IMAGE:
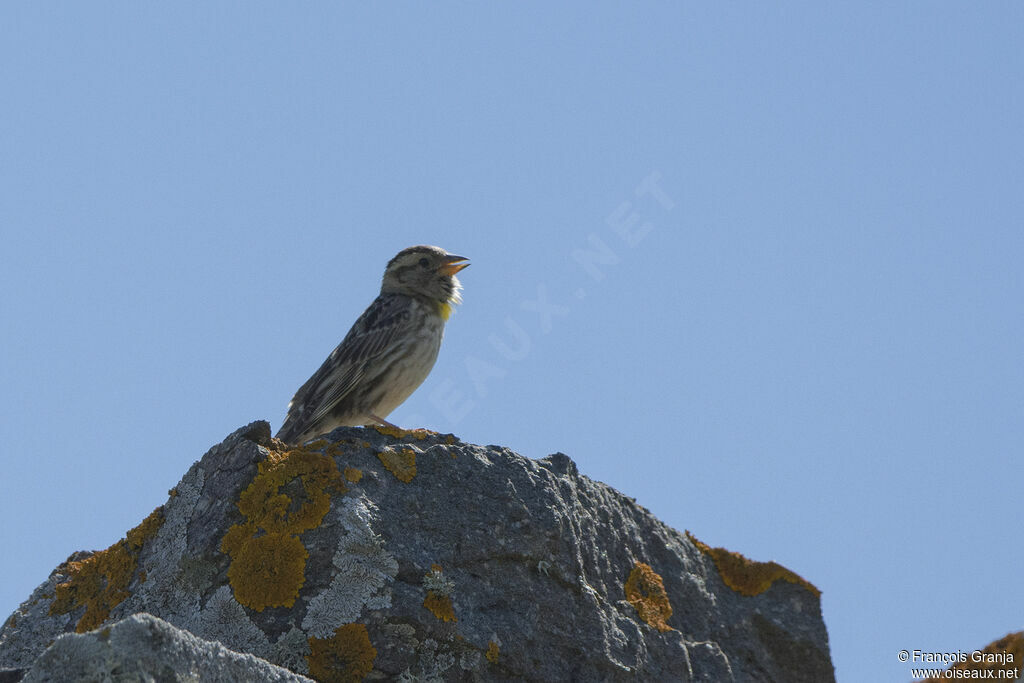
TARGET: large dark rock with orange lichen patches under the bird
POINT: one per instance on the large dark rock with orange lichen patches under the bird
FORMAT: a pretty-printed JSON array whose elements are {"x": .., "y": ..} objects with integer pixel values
[{"x": 386, "y": 554}]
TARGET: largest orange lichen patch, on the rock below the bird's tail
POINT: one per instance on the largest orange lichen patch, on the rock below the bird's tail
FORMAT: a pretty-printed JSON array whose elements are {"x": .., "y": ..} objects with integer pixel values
[{"x": 269, "y": 560}]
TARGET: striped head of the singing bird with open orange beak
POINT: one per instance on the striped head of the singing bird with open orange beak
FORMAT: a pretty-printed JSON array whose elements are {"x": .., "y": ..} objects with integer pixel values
[{"x": 425, "y": 273}]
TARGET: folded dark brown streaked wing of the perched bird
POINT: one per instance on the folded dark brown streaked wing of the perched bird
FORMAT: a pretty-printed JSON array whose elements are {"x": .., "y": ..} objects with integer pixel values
[{"x": 372, "y": 333}]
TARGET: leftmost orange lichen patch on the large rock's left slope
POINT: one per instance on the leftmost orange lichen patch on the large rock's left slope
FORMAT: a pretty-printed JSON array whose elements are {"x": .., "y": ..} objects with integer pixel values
[{"x": 100, "y": 583}]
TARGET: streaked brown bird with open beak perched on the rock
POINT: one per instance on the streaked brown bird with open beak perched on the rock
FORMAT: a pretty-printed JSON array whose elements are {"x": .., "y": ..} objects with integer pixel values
[{"x": 389, "y": 353}]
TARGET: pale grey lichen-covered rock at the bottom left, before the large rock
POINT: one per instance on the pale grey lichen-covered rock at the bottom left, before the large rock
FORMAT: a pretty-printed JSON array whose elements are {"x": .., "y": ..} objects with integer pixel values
[{"x": 143, "y": 648}]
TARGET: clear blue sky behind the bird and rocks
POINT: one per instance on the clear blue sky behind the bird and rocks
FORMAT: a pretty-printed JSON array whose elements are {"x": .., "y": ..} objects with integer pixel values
[{"x": 757, "y": 266}]
